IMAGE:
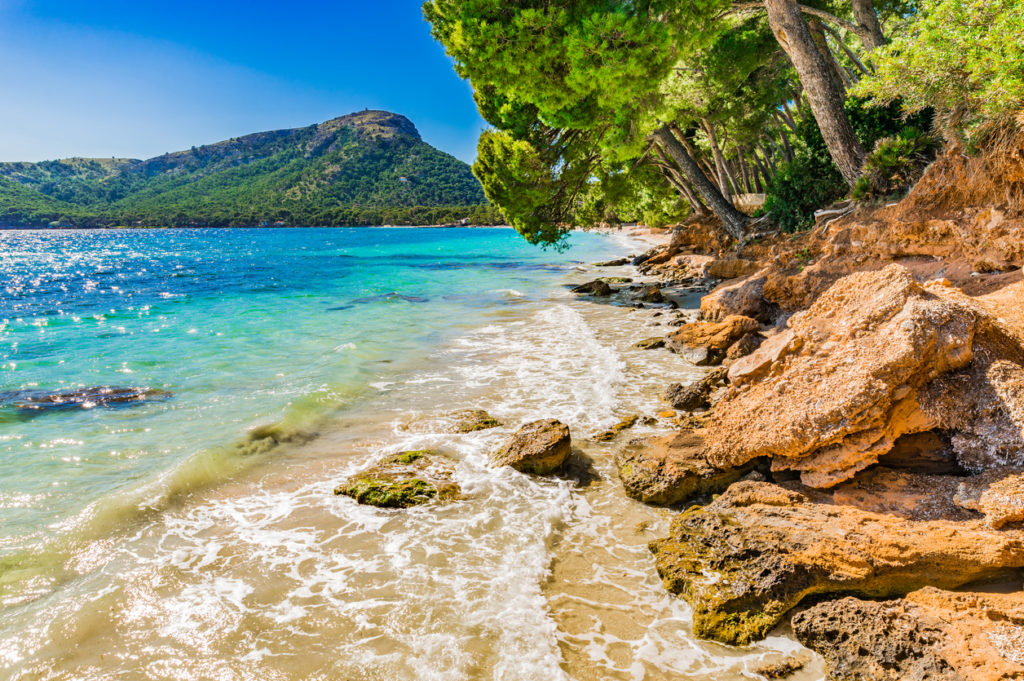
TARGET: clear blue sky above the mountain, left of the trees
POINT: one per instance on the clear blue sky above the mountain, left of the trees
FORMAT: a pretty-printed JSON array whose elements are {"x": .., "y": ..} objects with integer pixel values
[{"x": 140, "y": 78}]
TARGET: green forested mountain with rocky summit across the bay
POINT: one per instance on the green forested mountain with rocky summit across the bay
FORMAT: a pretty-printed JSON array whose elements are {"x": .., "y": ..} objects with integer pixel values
[{"x": 365, "y": 168}]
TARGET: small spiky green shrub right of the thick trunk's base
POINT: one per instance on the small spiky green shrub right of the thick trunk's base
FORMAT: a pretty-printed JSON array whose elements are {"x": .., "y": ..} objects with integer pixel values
[{"x": 895, "y": 164}]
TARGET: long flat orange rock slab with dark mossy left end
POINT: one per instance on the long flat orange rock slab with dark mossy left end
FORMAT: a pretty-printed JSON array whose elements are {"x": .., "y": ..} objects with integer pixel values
[{"x": 757, "y": 550}]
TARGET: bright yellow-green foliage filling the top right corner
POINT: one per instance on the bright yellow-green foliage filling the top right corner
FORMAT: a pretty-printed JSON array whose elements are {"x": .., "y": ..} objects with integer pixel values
[{"x": 963, "y": 58}]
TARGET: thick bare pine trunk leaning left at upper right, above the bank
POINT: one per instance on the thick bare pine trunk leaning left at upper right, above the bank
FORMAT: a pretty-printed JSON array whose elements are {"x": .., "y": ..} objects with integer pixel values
[{"x": 823, "y": 95}]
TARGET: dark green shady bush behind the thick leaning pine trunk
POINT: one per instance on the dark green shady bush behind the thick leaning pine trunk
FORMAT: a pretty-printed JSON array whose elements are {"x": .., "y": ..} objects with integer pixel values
[{"x": 813, "y": 181}]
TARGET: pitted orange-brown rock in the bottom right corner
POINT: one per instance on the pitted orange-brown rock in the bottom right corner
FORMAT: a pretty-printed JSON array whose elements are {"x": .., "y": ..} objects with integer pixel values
[{"x": 931, "y": 635}]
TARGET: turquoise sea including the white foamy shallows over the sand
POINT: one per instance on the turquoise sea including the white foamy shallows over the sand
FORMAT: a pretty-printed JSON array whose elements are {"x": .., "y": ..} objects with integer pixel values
[{"x": 195, "y": 535}]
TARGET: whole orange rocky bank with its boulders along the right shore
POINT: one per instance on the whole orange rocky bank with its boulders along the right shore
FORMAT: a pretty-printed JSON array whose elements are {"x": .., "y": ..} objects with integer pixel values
[{"x": 885, "y": 409}]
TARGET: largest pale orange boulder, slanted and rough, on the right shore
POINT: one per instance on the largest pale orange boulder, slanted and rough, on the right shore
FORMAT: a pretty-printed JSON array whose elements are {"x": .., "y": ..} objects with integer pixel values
[{"x": 877, "y": 358}]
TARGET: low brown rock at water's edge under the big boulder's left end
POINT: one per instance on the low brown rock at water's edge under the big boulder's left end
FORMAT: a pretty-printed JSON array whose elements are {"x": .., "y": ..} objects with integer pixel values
[{"x": 672, "y": 471}]
